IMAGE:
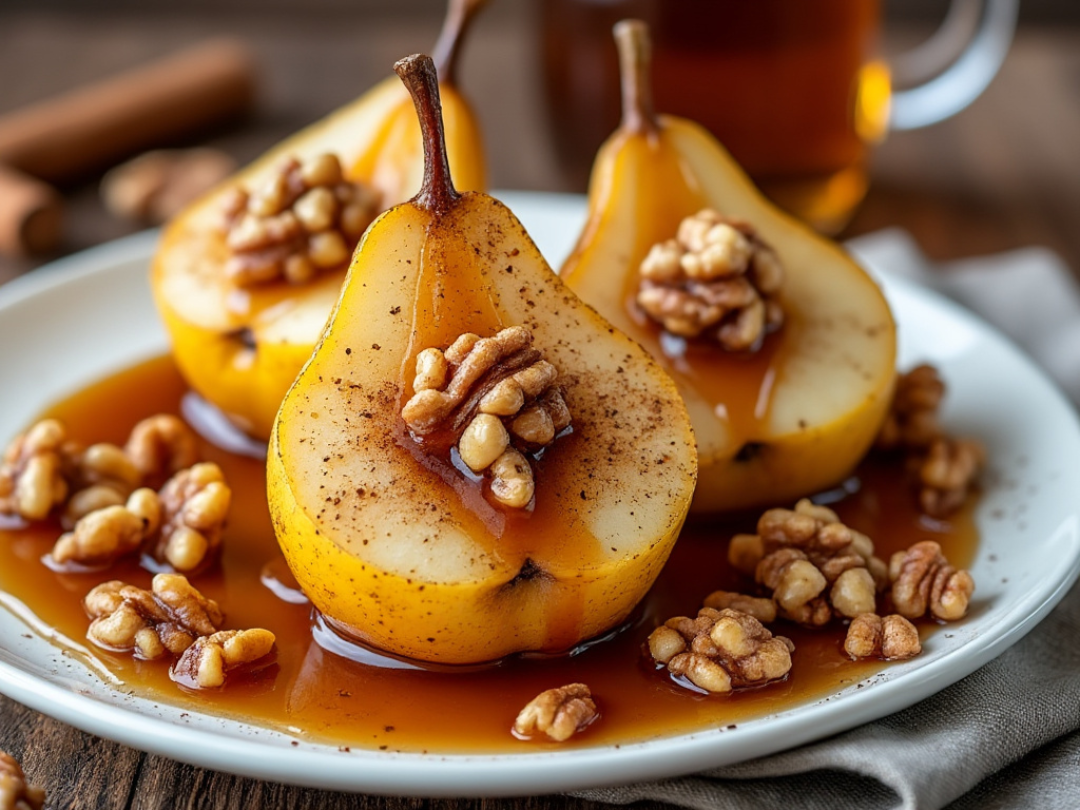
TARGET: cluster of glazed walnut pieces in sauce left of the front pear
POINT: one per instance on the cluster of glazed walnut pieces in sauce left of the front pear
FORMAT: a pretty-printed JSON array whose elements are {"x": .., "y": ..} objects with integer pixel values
[{"x": 105, "y": 496}]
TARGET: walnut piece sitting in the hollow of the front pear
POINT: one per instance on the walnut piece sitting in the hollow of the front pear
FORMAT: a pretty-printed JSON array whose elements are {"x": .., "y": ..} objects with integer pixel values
[{"x": 496, "y": 400}]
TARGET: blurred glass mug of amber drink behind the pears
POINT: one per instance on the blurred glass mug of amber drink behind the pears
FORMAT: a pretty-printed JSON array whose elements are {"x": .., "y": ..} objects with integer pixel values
[{"x": 794, "y": 89}]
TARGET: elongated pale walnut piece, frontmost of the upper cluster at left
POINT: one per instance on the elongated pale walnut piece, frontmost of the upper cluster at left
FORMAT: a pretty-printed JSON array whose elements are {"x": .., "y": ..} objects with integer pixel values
[{"x": 105, "y": 535}]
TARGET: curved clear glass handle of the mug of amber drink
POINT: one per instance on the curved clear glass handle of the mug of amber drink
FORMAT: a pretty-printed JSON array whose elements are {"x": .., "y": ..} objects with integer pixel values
[{"x": 962, "y": 83}]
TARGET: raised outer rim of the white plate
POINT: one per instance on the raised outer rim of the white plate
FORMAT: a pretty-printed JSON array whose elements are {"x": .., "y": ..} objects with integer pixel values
[{"x": 320, "y": 765}]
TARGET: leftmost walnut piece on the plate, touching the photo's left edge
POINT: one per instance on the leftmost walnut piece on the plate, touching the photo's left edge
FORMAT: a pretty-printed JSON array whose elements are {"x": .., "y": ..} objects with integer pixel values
[{"x": 33, "y": 472}]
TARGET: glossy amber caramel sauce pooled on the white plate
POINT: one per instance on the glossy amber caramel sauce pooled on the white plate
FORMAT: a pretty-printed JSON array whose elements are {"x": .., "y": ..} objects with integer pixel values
[{"x": 363, "y": 700}]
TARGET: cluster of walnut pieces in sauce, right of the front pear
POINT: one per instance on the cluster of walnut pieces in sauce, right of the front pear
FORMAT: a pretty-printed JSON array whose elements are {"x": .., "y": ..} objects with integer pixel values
[{"x": 811, "y": 570}]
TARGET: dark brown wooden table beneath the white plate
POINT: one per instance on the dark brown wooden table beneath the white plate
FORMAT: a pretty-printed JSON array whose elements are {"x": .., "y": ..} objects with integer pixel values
[{"x": 1004, "y": 174}]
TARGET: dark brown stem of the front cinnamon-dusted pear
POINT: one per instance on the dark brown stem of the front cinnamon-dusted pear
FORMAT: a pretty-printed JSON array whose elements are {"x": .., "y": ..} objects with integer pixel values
[{"x": 422, "y": 79}]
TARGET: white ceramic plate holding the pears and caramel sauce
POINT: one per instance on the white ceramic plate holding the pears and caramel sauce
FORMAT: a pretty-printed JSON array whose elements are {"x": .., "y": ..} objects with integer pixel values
[{"x": 91, "y": 315}]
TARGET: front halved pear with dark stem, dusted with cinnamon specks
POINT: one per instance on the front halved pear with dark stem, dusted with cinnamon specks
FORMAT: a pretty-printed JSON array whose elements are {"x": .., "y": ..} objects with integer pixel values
[{"x": 396, "y": 541}]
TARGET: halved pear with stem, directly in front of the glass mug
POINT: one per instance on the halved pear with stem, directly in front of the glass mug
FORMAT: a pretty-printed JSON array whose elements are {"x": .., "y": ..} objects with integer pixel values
[{"x": 795, "y": 416}]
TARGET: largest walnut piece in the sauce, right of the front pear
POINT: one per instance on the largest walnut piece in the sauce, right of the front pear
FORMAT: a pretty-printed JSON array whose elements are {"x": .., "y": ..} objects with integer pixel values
[{"x": 814, "y": 565}]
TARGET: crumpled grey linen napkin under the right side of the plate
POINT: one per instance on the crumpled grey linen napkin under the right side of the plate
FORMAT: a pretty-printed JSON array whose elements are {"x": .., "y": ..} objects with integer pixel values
[{"x": 1007, "y": 736}]
